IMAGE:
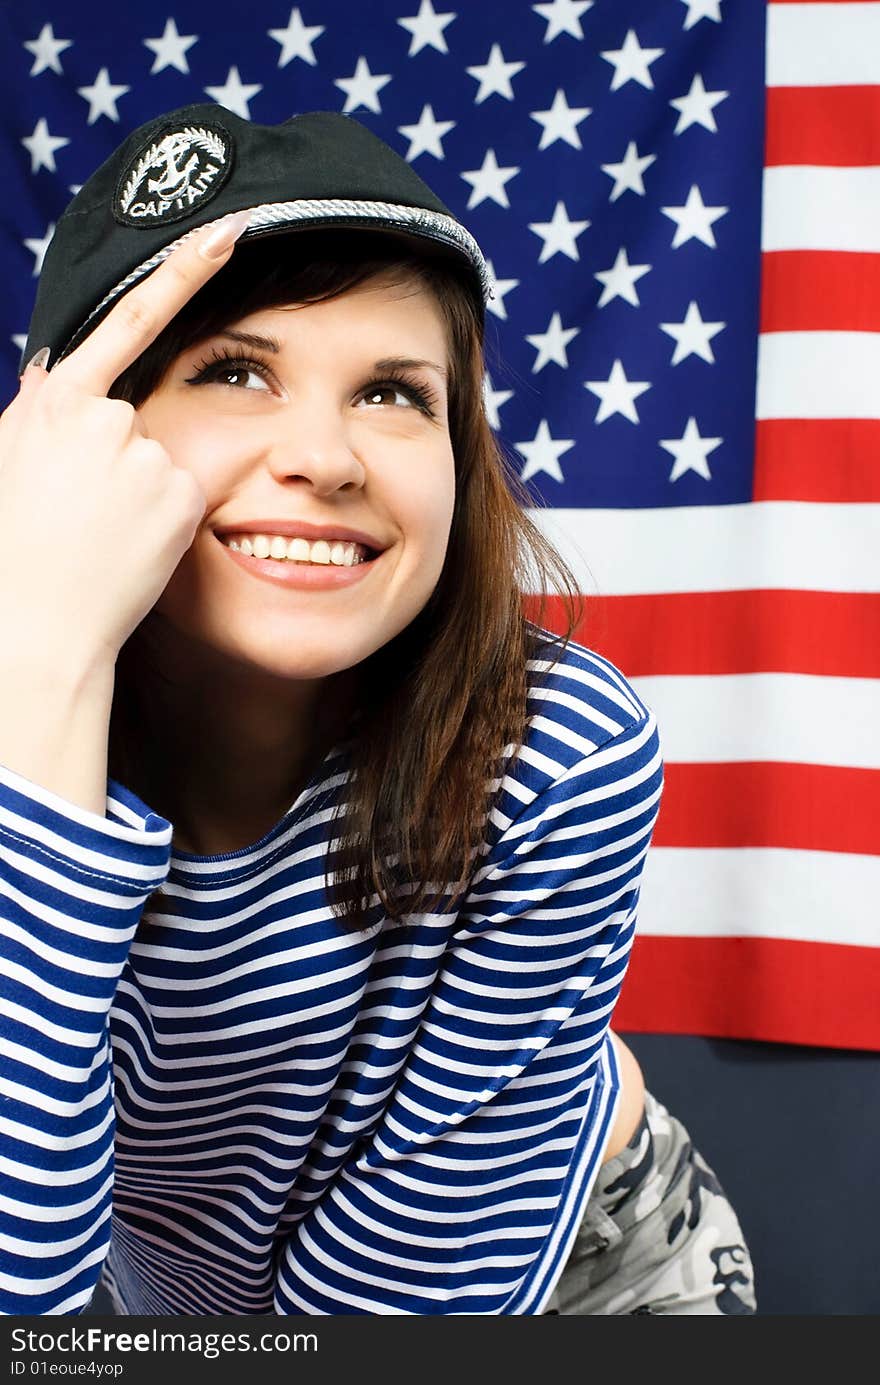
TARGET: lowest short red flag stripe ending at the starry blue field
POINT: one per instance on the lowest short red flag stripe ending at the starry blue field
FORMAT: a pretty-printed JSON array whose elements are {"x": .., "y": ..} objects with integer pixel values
[{"x": 835, "y": 461}]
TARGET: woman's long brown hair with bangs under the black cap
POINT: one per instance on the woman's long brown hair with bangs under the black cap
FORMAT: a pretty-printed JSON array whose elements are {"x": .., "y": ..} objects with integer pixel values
[{"x": 443, "y": 707}]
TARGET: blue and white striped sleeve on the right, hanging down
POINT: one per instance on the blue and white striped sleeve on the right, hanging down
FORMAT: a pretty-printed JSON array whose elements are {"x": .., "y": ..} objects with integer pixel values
[{"x": 466, "y": 1199}]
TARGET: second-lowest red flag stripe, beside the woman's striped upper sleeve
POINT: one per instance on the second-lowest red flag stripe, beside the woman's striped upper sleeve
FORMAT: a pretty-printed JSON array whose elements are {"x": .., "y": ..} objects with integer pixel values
[{"x": 771, "y": 804}]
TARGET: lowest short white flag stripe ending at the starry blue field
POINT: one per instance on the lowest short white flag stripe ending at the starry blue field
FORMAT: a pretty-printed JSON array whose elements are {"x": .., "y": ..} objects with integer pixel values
[{"x": 820, "y": 375}]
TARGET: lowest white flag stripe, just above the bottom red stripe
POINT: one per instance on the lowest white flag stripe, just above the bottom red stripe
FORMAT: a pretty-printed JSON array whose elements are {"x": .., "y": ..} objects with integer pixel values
[{"x": 767, "y": 893}]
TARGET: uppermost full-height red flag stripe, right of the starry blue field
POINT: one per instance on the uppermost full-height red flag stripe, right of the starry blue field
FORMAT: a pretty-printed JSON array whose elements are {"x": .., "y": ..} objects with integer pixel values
[{"x": 828, "y": 127}]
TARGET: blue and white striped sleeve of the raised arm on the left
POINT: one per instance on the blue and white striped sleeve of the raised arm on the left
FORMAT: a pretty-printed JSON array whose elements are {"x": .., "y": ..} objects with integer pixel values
[{"x": 73, "y": 888}]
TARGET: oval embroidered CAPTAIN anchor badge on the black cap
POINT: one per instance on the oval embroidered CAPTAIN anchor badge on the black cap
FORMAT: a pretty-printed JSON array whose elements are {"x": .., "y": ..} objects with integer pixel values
[{"x": 179, "y": 171}]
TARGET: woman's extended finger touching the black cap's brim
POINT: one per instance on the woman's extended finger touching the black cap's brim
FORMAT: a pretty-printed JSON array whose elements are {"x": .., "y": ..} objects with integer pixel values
[{"x": 139, "y": 318}]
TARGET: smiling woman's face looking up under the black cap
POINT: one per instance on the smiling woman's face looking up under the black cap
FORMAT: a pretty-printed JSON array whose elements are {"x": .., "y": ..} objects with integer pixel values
[{"x": 333, "y": 416}]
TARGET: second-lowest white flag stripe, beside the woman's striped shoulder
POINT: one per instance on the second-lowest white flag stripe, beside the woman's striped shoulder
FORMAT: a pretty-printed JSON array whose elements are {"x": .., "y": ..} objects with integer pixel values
[{"x": 796, "y": 718}]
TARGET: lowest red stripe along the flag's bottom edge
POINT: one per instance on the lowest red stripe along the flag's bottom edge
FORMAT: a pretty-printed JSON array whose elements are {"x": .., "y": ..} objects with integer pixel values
[{"x": 791, "y": 992}]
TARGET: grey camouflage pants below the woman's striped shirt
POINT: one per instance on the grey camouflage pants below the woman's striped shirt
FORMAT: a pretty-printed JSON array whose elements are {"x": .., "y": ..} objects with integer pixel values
[{"x": 659, "y": 1235}]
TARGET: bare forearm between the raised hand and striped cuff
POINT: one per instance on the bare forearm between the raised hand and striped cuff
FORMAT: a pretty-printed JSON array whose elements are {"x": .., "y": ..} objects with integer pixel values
[{"x": 55, "y": 722}]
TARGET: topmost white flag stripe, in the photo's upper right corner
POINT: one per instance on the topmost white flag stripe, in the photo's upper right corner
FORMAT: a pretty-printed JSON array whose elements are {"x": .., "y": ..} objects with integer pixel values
[{"x": 822, "y": 45}]
